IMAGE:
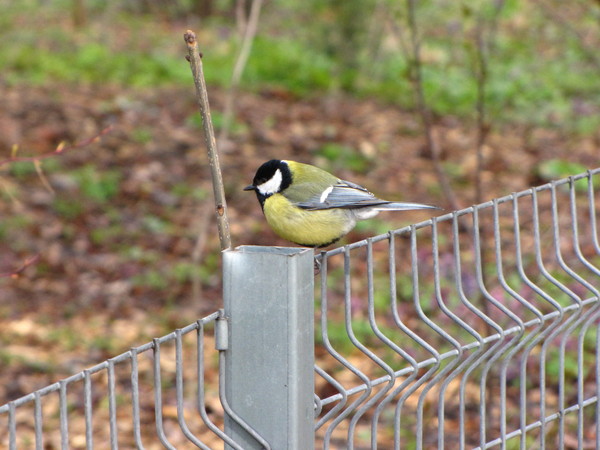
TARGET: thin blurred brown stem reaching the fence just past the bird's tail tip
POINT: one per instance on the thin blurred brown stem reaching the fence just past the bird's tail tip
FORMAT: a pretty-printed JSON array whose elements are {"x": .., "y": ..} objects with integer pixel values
[{"x": 416, "y": 77}]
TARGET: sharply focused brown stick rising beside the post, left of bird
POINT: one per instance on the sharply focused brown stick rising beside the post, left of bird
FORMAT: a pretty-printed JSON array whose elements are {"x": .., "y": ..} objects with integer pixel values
[{"x": 195, "y": 60}]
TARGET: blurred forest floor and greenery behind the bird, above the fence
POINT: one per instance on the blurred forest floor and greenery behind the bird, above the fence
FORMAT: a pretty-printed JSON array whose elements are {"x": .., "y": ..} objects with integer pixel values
[{"x": 108, "y": 242}]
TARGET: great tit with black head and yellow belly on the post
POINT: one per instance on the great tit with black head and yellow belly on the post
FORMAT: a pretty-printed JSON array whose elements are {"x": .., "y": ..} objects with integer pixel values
[{"x": 311, "y": 207}]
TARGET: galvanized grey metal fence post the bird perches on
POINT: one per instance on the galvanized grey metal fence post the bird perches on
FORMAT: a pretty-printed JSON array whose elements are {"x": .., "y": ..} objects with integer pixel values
[{"x": 269, "y": 362}]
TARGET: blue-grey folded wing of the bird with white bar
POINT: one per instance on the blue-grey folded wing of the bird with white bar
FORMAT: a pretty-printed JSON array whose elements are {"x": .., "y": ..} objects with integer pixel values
[{"x": 345, "y": 195}]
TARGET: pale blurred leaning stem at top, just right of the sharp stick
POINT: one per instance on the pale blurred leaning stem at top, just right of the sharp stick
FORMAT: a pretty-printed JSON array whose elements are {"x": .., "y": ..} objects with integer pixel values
[{"x": 249, "y": 32}]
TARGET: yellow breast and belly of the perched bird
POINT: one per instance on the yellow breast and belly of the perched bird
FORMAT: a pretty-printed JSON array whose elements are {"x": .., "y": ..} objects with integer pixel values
[{"x": 308, "y": 228}]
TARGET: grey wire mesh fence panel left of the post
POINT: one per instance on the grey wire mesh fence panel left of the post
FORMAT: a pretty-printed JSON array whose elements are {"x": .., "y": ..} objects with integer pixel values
[{"x": 161, "y": 394}]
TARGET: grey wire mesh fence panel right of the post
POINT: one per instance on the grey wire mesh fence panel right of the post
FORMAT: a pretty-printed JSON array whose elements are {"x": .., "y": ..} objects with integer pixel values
[{"x": 476, "y": 329}]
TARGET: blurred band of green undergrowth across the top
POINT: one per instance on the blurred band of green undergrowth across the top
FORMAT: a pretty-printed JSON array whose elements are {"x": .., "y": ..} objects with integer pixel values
[{"x": 537, "y": 72}]
